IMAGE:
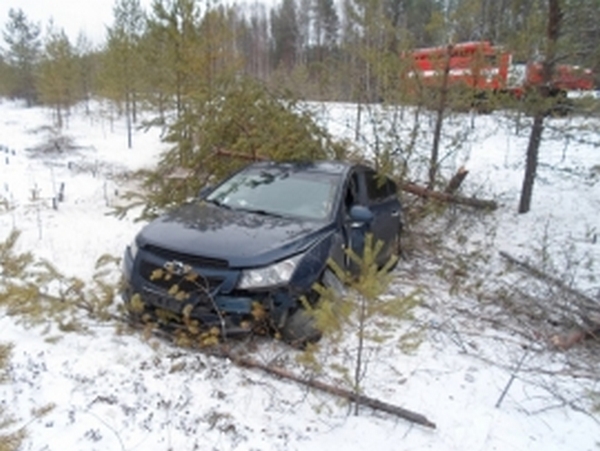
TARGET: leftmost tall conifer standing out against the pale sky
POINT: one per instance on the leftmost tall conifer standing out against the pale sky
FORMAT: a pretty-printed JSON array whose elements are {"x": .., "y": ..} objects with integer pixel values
[{"x": 22, "y": 56}]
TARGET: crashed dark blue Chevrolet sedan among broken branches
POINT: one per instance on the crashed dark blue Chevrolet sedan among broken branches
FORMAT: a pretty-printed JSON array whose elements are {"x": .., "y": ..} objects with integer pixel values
[{"x": 261, "y": 238}]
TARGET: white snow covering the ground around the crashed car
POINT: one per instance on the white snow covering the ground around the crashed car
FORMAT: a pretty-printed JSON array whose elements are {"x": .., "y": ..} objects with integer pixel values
[{"x": 110, "y": 388}]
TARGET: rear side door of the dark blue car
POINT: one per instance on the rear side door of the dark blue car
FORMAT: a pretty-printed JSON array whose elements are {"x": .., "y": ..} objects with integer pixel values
[{"x": 382, "y": 200}]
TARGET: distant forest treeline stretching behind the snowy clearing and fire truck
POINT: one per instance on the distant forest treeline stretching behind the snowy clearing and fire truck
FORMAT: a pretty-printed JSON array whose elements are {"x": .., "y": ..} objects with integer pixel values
[{"x": 344, "y": 50}]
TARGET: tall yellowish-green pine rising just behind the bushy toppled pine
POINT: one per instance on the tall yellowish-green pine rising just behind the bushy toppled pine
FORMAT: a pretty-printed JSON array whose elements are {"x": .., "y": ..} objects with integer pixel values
[{"x": 196, "y": 59}]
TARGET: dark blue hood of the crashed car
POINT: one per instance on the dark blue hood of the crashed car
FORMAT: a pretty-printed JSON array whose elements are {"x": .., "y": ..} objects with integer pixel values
[{"x": 242, "y": 238}]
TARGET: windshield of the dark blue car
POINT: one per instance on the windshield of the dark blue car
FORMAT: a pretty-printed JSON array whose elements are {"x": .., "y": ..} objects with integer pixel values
[{"x": 278, "y": 192}]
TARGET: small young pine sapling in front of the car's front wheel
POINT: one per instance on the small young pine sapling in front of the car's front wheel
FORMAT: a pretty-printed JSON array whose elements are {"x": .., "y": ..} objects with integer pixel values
[{"x": 361, "y": 316}]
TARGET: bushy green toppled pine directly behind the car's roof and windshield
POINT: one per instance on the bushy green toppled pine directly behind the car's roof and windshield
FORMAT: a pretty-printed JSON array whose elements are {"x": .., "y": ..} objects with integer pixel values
[{"x": 245, "y": 122}]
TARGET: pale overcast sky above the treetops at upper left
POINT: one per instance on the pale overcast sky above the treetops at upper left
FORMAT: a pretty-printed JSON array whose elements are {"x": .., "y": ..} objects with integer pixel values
[{"x": 74, "y": 16}]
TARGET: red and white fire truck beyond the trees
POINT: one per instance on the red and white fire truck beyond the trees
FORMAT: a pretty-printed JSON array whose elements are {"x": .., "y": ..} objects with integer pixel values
[{"x": 484, "y": 67}]
